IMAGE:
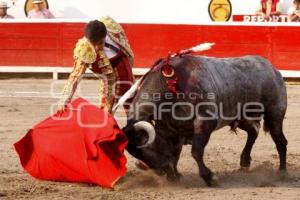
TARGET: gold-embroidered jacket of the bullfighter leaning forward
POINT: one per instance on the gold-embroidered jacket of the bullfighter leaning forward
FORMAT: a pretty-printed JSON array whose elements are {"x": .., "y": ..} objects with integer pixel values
[{"x": 85, "y": 55}]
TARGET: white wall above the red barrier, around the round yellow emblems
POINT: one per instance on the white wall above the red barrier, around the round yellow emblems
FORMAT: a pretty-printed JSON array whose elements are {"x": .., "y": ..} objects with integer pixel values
[{"x": 141, "y": 11}]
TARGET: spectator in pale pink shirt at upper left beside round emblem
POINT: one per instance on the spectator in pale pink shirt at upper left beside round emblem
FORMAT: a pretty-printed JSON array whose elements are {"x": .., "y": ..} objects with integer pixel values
[{"x": 39, "y": 11}]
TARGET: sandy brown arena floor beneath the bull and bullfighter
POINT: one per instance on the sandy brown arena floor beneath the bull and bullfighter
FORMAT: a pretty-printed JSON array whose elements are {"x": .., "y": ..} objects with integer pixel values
[{"x": 23, "y": 103}]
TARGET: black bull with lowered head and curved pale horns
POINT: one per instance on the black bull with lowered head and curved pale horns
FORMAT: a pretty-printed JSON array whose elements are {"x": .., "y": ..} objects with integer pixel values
[{"x": 237, "y": 92}]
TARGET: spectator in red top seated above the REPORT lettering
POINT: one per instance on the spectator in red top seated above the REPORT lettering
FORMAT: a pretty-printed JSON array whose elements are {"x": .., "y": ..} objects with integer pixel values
[{"x": 269, "y": 8}]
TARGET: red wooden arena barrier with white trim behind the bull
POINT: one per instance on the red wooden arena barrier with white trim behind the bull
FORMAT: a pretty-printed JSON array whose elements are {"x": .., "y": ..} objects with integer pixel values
[{"x": 47, "y": 45}]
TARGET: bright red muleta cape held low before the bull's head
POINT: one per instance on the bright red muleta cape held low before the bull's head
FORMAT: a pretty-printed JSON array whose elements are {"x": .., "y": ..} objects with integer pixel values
[{"x": 86, "y": 147}]
